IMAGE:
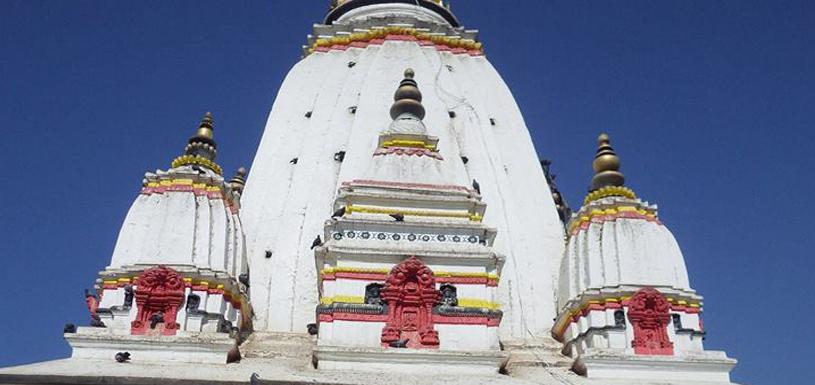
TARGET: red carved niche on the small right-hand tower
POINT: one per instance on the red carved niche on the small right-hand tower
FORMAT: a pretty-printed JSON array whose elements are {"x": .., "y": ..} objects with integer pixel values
[{"x": 649, "y": 313}]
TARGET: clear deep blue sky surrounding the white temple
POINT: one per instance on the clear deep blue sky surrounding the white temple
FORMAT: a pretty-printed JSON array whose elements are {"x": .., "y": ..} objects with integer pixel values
[{"x": 709, "y": 103}]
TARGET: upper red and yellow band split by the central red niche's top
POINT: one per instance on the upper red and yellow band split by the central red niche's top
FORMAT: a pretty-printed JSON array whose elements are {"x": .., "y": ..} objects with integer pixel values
[{"x": 381, "y": 274}]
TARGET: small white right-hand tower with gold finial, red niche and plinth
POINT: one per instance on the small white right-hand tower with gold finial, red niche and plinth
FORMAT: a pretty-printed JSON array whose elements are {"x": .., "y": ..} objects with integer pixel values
[{"x": 626, "y": 308}]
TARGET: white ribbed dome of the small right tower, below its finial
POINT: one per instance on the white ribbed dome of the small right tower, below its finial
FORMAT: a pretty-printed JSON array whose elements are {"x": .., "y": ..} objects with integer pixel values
[{"x": 620, "y": 242}]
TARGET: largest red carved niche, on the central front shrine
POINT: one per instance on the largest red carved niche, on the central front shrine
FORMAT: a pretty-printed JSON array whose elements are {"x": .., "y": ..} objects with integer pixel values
[{"x": 410, "y": 291}]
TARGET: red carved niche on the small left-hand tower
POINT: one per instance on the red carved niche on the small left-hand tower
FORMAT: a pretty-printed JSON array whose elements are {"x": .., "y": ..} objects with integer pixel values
[{"x": 159, "y": 294}]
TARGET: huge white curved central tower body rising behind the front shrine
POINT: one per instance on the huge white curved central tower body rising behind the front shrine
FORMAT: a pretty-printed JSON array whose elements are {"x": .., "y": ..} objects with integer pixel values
[{"x": 334, "y": 100}]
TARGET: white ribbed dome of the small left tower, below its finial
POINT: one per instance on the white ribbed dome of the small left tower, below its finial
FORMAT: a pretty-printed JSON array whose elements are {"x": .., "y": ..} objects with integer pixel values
[{"x": 183, "y": 217}]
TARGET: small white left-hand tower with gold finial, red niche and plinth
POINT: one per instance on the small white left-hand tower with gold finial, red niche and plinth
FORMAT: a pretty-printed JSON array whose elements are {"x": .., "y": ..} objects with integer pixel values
[{"x": 172, "y": 290}]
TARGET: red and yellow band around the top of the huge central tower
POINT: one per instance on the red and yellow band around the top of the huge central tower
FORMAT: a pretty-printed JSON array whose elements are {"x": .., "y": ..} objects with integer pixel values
[{"x": 376, "y": 36}]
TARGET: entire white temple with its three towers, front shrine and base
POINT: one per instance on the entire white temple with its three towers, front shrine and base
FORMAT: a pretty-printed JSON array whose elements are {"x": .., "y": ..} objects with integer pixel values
[{"x": 396, "y": 226}]
